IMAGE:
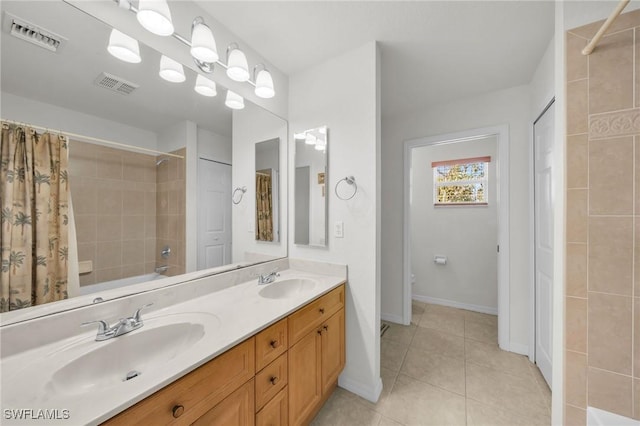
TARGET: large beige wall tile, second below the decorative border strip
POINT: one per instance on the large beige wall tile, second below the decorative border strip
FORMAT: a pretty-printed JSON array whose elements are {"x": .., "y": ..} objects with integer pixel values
[{"x": 611, "y": 254}]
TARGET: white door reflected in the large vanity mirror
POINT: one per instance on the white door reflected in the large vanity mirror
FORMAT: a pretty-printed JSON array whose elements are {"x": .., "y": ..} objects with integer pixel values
[{"x": 214, "y": 214}]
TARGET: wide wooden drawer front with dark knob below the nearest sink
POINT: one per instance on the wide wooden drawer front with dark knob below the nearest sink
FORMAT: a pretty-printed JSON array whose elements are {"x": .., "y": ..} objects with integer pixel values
[{"x": 188, "y": 398}]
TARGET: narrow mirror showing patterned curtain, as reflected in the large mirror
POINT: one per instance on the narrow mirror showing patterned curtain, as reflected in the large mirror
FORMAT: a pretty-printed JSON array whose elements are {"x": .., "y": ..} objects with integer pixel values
[{"x": 267, "y": 190}]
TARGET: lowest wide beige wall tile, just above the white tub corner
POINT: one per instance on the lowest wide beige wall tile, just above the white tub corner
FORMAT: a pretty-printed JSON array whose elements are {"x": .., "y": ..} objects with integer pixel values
[{"x": 611, "y": 392}]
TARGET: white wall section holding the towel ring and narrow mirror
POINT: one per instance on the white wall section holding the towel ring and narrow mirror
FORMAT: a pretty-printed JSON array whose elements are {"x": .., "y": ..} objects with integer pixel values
[{"x": 343, "y": 93}]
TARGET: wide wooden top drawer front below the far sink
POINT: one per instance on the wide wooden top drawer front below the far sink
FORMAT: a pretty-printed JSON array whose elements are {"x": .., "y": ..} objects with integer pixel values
[{"x": 309, "y": 317}]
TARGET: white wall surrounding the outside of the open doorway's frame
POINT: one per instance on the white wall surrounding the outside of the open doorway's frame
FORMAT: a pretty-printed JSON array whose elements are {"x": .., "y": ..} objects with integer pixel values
[{"x": 509, "y": 106}]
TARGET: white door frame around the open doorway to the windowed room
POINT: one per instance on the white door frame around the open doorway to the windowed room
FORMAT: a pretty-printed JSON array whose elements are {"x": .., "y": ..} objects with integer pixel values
[{"x": 502, "y": 198}]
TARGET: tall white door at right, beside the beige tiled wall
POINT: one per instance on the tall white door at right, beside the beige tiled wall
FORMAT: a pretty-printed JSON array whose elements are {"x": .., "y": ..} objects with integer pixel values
[{"x": 543, "y": 131}]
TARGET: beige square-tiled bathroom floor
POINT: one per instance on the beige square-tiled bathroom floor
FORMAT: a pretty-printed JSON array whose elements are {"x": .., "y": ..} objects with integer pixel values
[{"x": 446, "y": 369}]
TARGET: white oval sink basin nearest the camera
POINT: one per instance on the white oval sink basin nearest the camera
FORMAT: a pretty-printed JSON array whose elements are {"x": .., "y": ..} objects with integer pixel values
[{"x": 108, "y": 363}]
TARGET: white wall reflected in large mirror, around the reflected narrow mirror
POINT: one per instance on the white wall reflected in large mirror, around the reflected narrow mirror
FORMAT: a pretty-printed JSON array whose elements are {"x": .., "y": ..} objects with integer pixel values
[{"x": 250, "y": 126}]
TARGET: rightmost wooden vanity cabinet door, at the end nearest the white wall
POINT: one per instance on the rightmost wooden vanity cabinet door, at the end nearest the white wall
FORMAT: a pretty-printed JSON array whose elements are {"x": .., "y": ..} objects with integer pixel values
[{"x": 333, "y": 351}]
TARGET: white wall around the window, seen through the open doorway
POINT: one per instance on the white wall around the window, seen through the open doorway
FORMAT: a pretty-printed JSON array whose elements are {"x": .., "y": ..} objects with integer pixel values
[{"x": 466, "y": 235}]
